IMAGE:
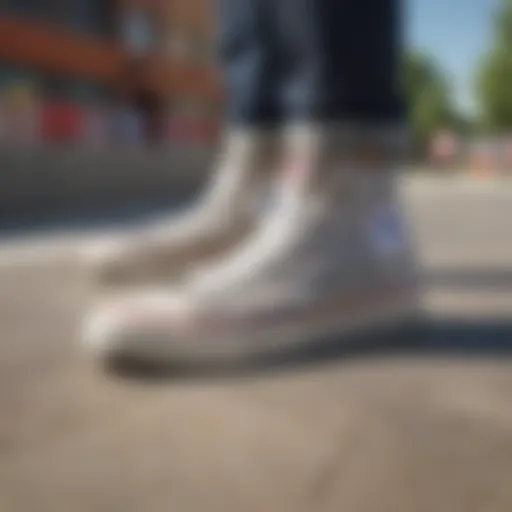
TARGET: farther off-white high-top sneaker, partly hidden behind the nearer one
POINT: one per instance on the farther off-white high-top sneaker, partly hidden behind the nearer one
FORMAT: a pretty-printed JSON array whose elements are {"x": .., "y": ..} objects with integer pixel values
[{"x": 229, "y": 209}]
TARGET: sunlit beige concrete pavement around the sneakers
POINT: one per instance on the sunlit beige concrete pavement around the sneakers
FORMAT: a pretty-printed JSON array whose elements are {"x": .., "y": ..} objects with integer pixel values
[{"x": 366, "y": 433}]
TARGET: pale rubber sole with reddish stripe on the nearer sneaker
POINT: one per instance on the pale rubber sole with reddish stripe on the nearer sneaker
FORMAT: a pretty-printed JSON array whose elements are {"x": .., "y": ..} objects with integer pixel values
[{"x": 233, "y": 344}]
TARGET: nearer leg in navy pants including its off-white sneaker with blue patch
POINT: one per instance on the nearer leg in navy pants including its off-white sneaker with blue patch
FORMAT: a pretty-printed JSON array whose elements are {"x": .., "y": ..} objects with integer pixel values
[{"x": 331, "y": 257}]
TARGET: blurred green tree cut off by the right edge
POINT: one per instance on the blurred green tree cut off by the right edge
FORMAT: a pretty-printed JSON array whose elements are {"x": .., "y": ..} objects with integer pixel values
[{"x": 494, "y": 76}]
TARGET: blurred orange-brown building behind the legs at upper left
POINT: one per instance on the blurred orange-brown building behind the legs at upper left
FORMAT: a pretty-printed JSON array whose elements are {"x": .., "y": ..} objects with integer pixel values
[{"x": 74, "y": 56}]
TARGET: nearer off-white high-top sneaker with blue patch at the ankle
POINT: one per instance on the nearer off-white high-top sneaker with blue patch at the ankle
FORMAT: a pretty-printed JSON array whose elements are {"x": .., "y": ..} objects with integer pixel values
[{"x": 330, "y": 260}]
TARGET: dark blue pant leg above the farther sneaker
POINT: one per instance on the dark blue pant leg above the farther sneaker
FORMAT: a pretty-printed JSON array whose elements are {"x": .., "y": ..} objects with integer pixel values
[{"x": 249, "y": 56}]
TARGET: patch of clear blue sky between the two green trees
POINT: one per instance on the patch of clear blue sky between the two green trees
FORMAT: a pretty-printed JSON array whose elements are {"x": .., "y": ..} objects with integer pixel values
[{"x": 457, "y": 32}]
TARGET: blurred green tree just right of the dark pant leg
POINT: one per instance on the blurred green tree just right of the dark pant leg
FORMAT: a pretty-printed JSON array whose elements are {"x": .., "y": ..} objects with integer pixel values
[{"x": 428, "y": 98}]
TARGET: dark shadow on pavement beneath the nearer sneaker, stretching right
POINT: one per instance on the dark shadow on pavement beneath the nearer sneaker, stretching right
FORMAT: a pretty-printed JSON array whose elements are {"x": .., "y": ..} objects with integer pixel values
[{"x": 432, "y": 338}]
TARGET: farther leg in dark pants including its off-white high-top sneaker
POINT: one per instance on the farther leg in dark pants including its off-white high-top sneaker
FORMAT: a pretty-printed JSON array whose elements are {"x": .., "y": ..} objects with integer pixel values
[{"x": 229, "y": 207}]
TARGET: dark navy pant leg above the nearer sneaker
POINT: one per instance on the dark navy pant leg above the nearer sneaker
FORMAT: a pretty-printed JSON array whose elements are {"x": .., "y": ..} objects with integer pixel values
[{"x": 342, "y": 59}]
